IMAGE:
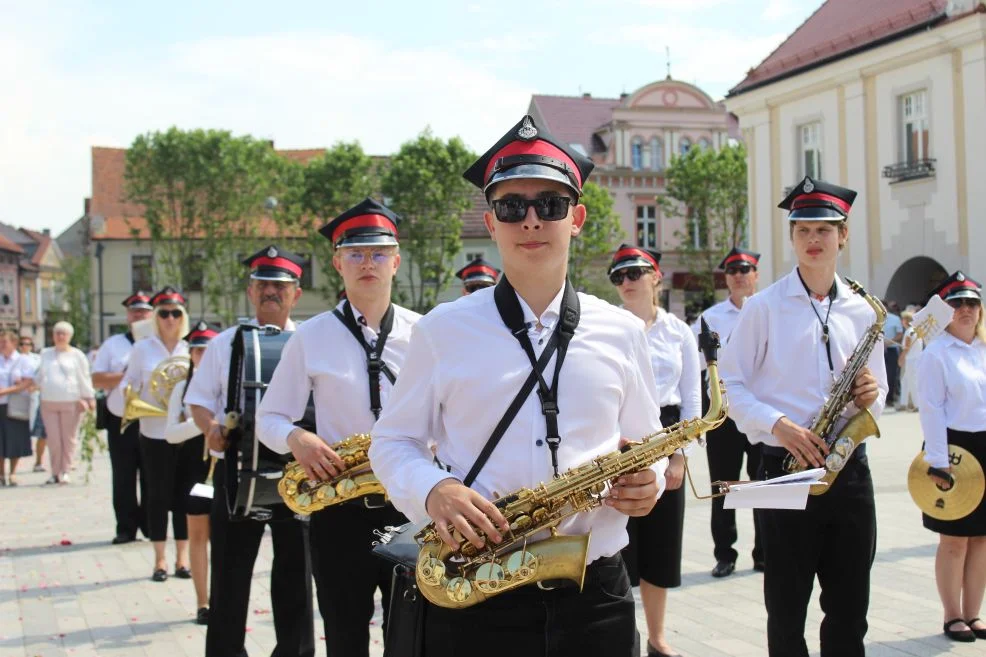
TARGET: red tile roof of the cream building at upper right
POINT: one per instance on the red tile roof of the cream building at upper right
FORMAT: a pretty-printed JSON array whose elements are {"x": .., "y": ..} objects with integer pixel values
[{"x": 839, "y": 28}]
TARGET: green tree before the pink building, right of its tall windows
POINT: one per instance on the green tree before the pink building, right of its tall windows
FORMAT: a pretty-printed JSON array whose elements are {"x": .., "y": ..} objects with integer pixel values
[{"x": 708, "y": 189}]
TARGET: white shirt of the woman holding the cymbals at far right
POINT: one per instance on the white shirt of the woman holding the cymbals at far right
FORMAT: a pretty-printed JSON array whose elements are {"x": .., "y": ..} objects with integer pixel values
[{"x": 951, "y": 392}]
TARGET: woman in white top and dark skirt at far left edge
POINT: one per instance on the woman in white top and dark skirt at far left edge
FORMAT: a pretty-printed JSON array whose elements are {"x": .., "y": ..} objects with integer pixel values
[{"x": 15, "y": 434}]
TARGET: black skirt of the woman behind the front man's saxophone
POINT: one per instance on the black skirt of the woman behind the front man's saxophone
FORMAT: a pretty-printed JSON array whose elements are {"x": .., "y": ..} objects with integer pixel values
[{"x": 654, "y": 551}]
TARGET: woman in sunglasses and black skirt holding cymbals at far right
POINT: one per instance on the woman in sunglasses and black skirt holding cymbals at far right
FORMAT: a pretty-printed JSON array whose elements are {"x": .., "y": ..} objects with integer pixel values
[{"x": 952, "y": 401}]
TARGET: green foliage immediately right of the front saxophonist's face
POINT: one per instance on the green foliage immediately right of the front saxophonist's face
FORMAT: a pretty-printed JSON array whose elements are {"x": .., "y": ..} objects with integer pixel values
[{"x": 600, "y": 235}]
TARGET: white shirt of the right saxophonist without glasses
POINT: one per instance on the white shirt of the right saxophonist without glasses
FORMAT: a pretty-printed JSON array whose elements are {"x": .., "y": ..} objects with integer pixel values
[{"x": 776, "y": 363}]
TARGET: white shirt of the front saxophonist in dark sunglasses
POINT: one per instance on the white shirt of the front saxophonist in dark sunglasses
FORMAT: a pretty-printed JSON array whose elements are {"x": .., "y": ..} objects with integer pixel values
[{"x": 462, "y": 371}]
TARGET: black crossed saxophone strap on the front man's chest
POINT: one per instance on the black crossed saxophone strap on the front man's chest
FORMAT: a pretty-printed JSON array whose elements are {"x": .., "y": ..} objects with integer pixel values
[{"x": 513, "y": 317}]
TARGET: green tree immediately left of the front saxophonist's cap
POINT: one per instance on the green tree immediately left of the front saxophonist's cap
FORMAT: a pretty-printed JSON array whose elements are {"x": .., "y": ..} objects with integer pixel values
[{"x": 423, "y": 183}]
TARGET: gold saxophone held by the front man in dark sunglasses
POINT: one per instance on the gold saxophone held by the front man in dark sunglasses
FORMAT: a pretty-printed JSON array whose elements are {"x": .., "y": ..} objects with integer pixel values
[{"x": 467, "y": 576}]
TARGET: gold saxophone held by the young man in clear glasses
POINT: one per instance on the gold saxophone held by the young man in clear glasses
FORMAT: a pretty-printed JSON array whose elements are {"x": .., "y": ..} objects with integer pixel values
[{"x": 304, "y": 496}]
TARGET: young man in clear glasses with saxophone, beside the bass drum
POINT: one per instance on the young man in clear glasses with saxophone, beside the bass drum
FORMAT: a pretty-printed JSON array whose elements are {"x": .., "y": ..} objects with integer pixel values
[{"x": 348, "y": 358}]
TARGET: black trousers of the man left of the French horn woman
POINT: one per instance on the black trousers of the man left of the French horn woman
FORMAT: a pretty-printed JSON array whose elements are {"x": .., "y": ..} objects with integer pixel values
[{"x": 125, "y": 462}]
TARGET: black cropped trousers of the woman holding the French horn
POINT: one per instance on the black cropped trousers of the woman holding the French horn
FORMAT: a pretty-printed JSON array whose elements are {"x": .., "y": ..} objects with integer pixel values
[{"x": 168, "y": 469}]
